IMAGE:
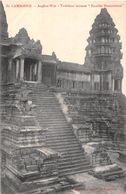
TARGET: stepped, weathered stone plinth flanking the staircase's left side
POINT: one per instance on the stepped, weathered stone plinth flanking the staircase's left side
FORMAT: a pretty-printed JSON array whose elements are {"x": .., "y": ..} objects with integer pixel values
[{"x": 22, "y": 136}]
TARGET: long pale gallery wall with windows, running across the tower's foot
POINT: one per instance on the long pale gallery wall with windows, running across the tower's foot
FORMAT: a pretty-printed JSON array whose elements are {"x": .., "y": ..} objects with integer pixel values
[{"x": 88, "y": 82}]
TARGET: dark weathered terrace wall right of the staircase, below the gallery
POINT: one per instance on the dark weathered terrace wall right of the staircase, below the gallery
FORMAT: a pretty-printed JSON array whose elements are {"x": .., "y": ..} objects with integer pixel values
[{"x": 101, "y": 111}]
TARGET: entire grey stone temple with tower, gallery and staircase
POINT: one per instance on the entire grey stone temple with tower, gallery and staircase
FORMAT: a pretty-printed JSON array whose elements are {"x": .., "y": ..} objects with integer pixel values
[{"x": 52, "y": 111}]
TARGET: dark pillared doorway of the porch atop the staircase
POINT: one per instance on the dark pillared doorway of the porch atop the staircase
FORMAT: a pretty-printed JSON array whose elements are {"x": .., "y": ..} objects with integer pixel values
[{"x": 30, "y": 69}]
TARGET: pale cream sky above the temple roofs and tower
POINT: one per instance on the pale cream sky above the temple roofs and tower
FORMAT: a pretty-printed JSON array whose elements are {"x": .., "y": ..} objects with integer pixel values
[{"x": 63, "y": 26}]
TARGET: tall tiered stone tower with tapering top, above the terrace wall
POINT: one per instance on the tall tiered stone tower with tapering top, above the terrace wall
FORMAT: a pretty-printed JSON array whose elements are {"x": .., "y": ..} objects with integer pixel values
[{"x": 103, "y": 54}]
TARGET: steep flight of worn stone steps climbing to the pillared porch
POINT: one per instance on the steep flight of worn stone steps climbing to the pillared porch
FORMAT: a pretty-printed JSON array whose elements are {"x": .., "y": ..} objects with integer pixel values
[{"x": 59, "y": 134}]
